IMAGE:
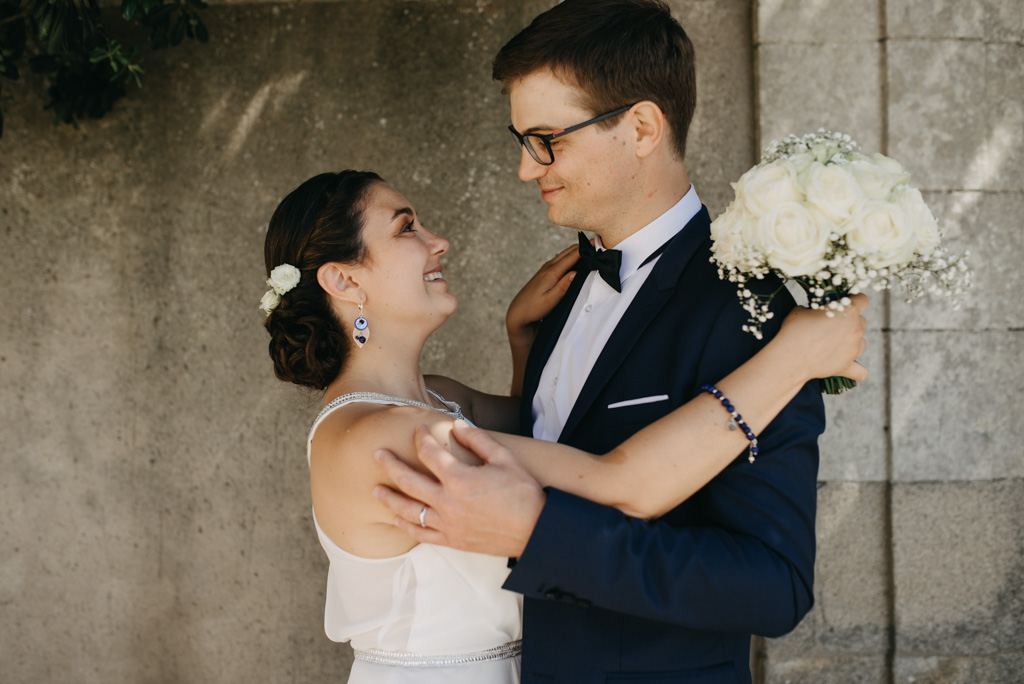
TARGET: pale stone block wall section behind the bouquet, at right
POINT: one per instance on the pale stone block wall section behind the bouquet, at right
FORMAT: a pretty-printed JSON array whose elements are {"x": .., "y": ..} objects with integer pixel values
[{"x": 921, "y": 567}]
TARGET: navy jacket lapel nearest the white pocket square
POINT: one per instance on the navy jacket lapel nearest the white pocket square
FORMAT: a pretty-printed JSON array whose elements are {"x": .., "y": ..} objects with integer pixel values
[{"x": 657, "y": 291}]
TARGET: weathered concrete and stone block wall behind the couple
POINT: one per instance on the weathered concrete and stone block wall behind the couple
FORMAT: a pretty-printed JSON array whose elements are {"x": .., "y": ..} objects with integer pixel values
[{"x": 155, "y": 501}]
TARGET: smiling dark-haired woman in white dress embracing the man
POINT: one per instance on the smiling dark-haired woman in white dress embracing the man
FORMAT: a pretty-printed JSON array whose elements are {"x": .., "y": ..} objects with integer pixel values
[{"x": 357, "y": 289}]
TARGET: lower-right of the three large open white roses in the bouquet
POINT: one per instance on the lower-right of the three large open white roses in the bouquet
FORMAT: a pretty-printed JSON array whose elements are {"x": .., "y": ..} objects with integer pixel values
[{"x": 882, "y": 235}]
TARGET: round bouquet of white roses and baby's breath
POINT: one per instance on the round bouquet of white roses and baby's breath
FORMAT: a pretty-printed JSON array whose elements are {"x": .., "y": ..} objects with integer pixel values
[{"x": 836, "y": 222}]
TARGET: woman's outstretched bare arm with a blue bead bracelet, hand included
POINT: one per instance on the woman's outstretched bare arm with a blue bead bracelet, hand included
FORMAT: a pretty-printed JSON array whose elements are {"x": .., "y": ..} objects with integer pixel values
[{"x": 664, "y": 464}]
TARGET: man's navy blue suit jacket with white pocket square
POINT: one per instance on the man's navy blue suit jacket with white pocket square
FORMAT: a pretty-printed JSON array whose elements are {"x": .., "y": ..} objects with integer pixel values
[{"x": 611, "y": 598}]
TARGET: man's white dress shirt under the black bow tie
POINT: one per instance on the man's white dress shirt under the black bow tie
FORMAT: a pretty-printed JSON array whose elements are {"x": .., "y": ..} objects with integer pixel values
[{"x": 595, "y": 315}]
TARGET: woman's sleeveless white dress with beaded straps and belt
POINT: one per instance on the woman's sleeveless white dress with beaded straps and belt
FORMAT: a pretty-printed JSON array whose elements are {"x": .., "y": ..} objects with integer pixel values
[{"x": 433, "y": 615}]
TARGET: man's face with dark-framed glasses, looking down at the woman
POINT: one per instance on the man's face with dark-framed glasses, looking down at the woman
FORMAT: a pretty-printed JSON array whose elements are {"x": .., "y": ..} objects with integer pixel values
[{"x": 589, "y": 181}]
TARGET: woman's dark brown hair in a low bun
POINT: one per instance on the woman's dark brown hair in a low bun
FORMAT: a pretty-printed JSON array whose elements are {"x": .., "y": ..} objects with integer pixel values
[{"x": 319, "y": 223}]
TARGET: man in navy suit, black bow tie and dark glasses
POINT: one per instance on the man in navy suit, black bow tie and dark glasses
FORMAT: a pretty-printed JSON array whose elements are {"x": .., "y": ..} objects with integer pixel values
[{"x": 603, "y": 94}]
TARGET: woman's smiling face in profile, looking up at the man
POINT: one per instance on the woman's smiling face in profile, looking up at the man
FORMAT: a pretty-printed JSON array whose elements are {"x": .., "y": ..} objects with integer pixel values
[{"x": 402, "y": 275}]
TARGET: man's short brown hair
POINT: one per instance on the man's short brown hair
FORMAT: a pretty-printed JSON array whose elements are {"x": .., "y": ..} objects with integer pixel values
[{"x": 618, "y": 53}]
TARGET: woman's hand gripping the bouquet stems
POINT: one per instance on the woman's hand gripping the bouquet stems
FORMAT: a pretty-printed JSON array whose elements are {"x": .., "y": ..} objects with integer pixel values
[{"x": 828, "y": 347}]
